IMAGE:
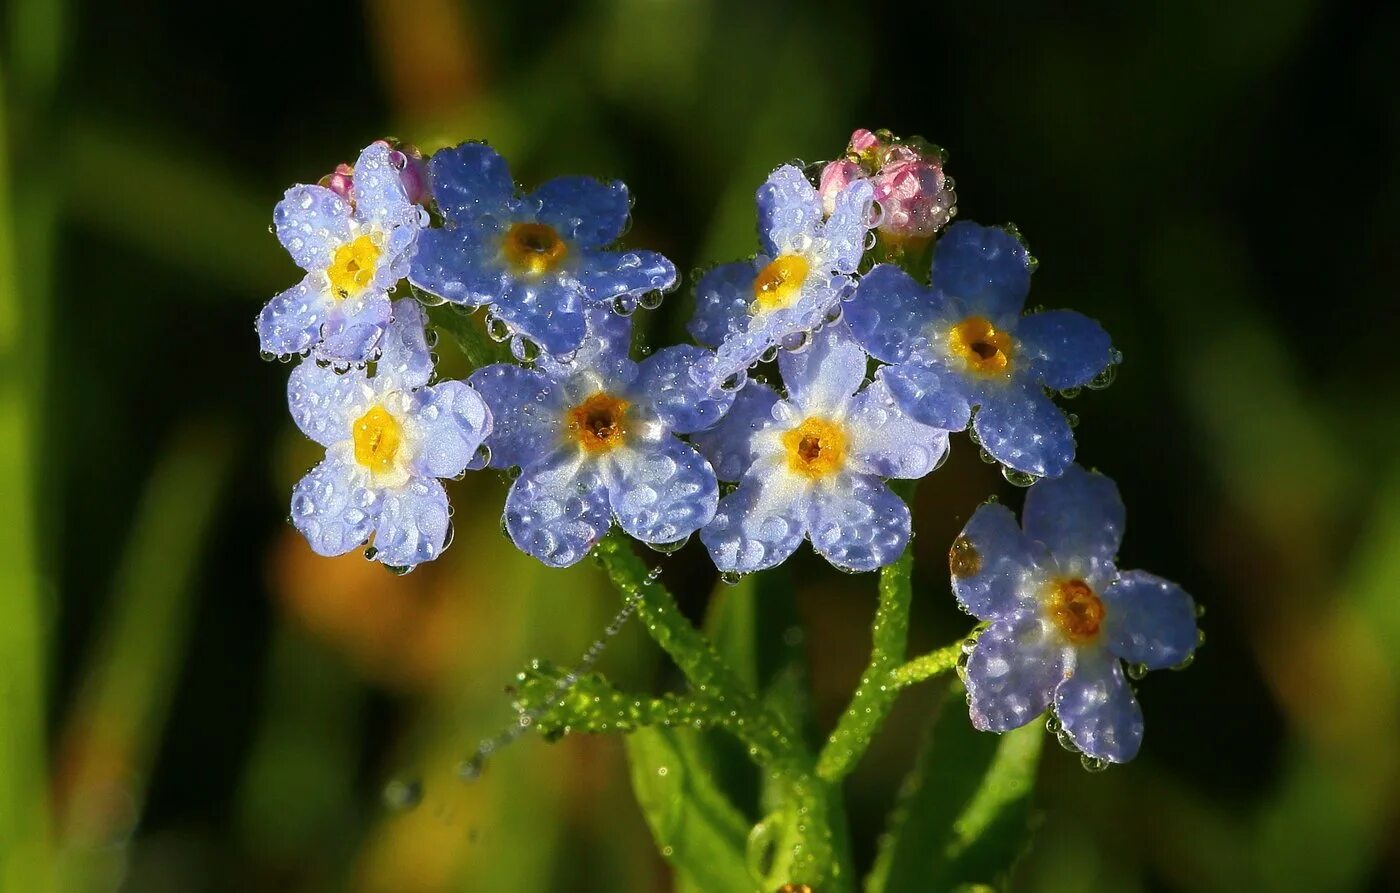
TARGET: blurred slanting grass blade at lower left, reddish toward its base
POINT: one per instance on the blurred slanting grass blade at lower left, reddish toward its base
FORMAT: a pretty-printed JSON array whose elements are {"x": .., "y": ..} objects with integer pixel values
[{"x": 113, "y": 733}]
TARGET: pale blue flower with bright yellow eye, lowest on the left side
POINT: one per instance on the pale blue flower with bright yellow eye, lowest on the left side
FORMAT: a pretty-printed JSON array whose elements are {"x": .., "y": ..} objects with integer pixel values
[{"x": 388, "y": 439}]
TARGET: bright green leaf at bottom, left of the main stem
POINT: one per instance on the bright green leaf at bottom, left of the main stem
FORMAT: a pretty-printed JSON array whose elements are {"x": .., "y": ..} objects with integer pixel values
[{"x": 695, "y": 825}]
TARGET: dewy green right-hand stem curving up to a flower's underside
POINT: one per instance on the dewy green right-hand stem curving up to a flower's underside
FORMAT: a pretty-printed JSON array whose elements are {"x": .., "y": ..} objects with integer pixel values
[{"x": 874, "y": 696}]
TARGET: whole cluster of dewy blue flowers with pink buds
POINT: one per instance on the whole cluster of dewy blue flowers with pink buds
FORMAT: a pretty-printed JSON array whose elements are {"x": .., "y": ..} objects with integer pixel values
[{"x": 820, "y": 374}]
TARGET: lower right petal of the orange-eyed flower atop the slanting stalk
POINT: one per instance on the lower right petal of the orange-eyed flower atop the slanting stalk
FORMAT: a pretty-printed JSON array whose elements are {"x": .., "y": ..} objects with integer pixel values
[{"x": 663, "y": 492}]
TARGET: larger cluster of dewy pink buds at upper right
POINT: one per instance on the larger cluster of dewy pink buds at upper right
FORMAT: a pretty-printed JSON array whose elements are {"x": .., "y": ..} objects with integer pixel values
[{"x": 911, "y": 187}]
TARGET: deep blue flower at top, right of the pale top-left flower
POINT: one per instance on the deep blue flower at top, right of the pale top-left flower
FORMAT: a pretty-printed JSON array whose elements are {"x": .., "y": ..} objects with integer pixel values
[{"x": 537, "y": 261}]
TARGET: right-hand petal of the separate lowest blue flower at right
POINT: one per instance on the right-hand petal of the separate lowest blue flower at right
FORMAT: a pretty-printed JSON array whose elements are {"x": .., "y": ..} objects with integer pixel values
[{"x": 1150, "y": 621}]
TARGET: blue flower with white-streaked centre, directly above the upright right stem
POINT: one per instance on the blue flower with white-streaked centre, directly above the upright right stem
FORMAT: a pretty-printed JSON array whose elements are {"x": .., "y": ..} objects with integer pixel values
[{"x": 813, "y": 465}]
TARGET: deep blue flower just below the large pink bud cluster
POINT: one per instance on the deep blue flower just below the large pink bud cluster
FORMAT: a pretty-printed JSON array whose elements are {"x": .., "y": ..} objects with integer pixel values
[{"x": 964, "y": 344}]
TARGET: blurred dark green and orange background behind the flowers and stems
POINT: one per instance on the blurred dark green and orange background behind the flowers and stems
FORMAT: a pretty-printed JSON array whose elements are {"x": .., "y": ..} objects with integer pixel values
[{"x": 191, "y": 701}]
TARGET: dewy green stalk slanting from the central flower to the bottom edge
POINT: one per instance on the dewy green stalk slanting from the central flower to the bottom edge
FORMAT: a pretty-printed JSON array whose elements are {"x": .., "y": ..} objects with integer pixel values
[{"x": 772, "y": 741}]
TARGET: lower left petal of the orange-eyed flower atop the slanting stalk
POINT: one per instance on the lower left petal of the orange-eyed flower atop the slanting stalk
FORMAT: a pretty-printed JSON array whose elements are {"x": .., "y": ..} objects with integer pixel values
[{"x": 558, "y": 509}]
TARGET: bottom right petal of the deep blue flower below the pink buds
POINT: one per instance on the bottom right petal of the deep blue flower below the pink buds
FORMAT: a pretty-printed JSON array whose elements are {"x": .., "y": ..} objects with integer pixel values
[{"x": 1020, "y": 426}]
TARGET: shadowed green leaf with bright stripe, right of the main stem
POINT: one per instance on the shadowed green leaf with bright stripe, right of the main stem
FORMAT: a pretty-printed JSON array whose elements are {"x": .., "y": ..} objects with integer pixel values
[{"x": 964, "y": 814}]
